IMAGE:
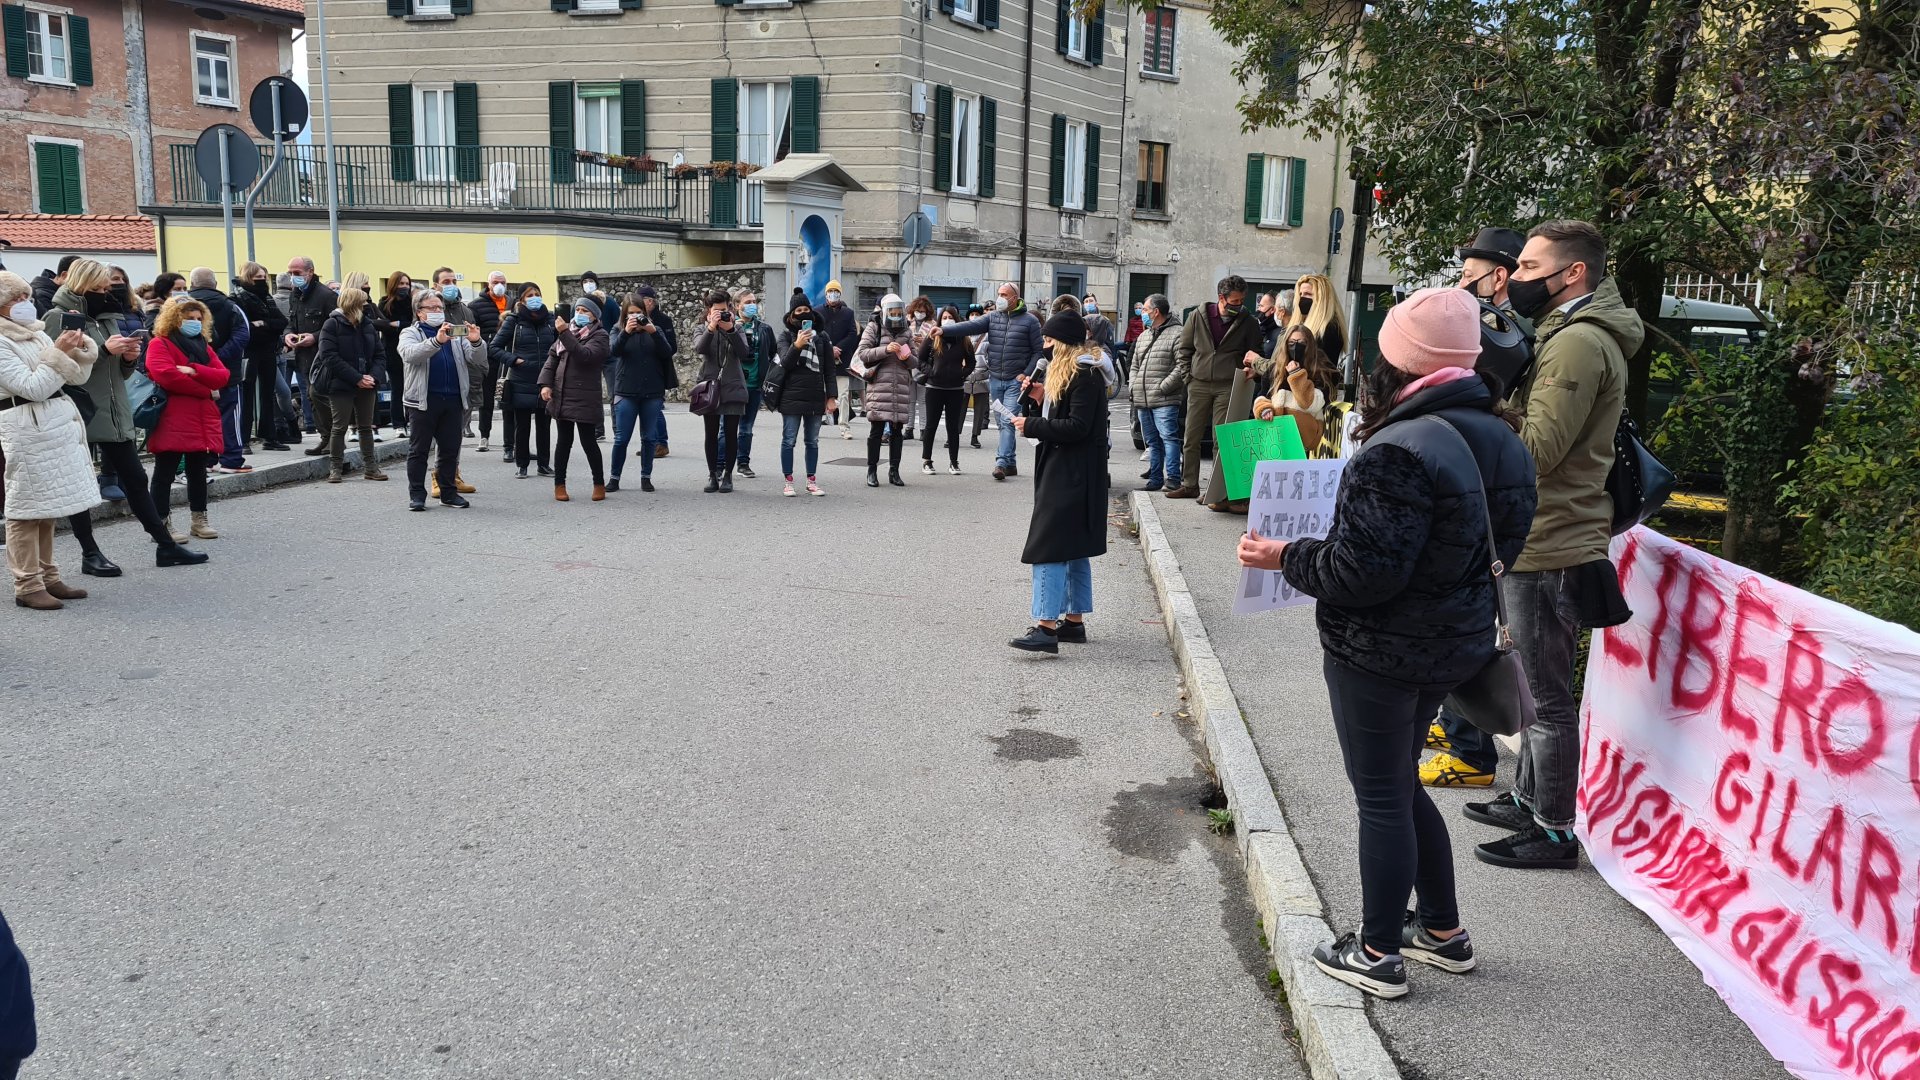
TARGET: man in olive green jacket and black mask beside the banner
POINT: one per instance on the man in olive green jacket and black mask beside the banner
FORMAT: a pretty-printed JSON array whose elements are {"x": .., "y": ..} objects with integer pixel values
[{"x": 1564, "y": 579}]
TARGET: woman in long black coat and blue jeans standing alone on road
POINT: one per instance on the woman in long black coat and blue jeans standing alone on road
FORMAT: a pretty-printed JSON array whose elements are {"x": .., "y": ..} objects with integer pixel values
[{"x": 1068, "y": 526}]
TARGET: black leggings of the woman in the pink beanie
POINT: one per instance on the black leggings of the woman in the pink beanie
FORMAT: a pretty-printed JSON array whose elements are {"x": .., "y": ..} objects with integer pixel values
[{"x": 1403, "y": 839}]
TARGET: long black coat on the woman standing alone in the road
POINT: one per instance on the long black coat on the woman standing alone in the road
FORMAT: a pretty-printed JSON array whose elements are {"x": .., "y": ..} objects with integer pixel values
[{"x": 1070, "y": 476}]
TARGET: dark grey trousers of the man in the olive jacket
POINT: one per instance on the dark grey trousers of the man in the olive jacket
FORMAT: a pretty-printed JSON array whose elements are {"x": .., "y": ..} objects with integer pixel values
[{"x": 1547, "y": 629}]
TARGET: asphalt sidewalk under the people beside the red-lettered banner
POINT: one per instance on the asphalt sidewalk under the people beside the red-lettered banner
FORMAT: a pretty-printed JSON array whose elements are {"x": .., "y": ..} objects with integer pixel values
[{"x": 1573, "y": 983}]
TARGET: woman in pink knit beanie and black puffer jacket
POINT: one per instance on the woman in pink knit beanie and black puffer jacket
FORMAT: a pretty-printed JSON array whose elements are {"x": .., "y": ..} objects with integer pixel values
[{"x": 1406, "y": 614}]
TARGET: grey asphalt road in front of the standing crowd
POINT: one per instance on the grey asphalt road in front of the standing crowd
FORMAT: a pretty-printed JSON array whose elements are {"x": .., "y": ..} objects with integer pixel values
[{"x": 673, "y": 785}]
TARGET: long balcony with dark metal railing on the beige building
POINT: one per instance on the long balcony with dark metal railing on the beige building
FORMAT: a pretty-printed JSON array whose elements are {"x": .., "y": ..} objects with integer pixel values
[{"x": 537, "y": 180}]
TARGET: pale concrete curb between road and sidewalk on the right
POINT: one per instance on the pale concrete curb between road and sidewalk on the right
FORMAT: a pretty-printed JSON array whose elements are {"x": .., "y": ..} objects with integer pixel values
[{"x": 1337, "y": 1039}]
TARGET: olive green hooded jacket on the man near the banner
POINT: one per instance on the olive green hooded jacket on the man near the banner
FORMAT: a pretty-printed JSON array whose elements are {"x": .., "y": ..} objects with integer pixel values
[{"x": 1572, "y": 405}]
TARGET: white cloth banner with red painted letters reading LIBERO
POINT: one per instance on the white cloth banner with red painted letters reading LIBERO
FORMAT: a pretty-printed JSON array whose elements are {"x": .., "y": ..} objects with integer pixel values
[{"x": 1752, "y": 781}]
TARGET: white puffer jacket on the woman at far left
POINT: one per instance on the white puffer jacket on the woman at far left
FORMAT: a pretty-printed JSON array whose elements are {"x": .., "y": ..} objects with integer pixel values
[{"x": 49, "y": 472}]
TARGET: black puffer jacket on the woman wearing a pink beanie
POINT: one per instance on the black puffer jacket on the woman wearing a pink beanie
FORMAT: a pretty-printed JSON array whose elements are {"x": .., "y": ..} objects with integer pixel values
[{"x": 1403, "y": 577}]
